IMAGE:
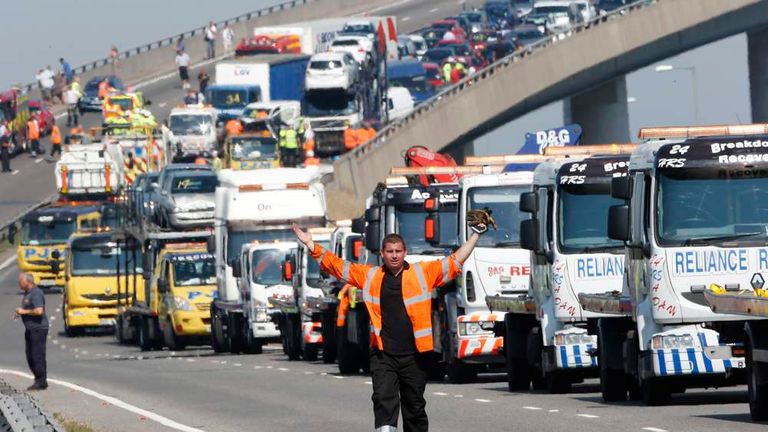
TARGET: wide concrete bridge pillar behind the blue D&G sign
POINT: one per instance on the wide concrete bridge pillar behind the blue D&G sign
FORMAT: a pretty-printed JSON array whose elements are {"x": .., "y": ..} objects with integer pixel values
[{"x": 601, "y": 111}]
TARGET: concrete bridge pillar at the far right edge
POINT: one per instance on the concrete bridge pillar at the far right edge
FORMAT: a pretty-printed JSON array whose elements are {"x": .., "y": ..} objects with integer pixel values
[{"x": 757, "y": 58}]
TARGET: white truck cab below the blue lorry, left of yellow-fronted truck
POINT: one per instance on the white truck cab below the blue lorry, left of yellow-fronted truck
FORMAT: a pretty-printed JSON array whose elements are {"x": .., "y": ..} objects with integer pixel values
[{"x": 192, "y": 132}]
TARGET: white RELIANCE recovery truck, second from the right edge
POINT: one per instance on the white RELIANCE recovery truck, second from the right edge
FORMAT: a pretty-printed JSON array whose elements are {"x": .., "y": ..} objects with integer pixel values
[{"x": 550, "y": 339}]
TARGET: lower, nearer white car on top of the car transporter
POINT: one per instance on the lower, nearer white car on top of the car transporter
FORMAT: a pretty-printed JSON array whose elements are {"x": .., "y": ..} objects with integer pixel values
[{"x": 331, "y": 70}]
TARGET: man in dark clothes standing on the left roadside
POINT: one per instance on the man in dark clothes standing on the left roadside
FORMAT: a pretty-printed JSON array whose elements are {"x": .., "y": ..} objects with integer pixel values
[{"x": 32, "y": 313}]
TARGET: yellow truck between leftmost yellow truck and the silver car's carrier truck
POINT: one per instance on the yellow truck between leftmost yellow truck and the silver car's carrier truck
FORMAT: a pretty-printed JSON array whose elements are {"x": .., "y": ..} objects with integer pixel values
[{"x": 93, "y": 285}]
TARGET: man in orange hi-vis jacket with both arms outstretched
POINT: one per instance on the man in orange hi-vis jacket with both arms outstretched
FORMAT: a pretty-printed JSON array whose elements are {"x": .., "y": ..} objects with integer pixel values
[{"x": 398, "y": 296}]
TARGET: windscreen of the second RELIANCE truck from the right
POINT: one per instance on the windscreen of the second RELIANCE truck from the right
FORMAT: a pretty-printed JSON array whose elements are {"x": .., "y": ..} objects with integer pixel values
[{"x": 582, "y": 218}]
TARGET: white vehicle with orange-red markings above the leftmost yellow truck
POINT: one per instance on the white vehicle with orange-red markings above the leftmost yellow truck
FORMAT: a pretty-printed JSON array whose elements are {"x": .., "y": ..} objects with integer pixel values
[{"x": 90, "y": 169}]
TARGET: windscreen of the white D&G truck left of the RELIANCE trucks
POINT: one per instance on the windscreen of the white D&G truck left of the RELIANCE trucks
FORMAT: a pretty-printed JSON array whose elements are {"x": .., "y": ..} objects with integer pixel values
[{"x": 504, "y": 202}]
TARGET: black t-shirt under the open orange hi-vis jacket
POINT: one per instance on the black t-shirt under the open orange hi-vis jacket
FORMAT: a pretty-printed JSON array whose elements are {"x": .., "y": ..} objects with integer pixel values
[{"x": 396, "y": 327}]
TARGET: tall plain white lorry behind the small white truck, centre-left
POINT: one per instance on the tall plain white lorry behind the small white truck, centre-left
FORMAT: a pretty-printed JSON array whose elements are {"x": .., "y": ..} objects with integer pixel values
[{"x": 256, "y": 206}]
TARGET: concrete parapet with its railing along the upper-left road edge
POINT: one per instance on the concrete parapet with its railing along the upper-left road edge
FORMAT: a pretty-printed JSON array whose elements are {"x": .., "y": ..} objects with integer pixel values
[{"x": 157, "y": 58}]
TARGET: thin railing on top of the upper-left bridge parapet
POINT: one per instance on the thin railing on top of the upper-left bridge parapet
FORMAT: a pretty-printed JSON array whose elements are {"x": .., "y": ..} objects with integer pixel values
[{"x": 171, "y": 40}]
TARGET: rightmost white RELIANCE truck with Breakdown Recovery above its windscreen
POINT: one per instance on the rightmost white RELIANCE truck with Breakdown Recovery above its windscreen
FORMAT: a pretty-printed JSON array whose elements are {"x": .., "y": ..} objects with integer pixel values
[{"x": 691, "y": 218}]
